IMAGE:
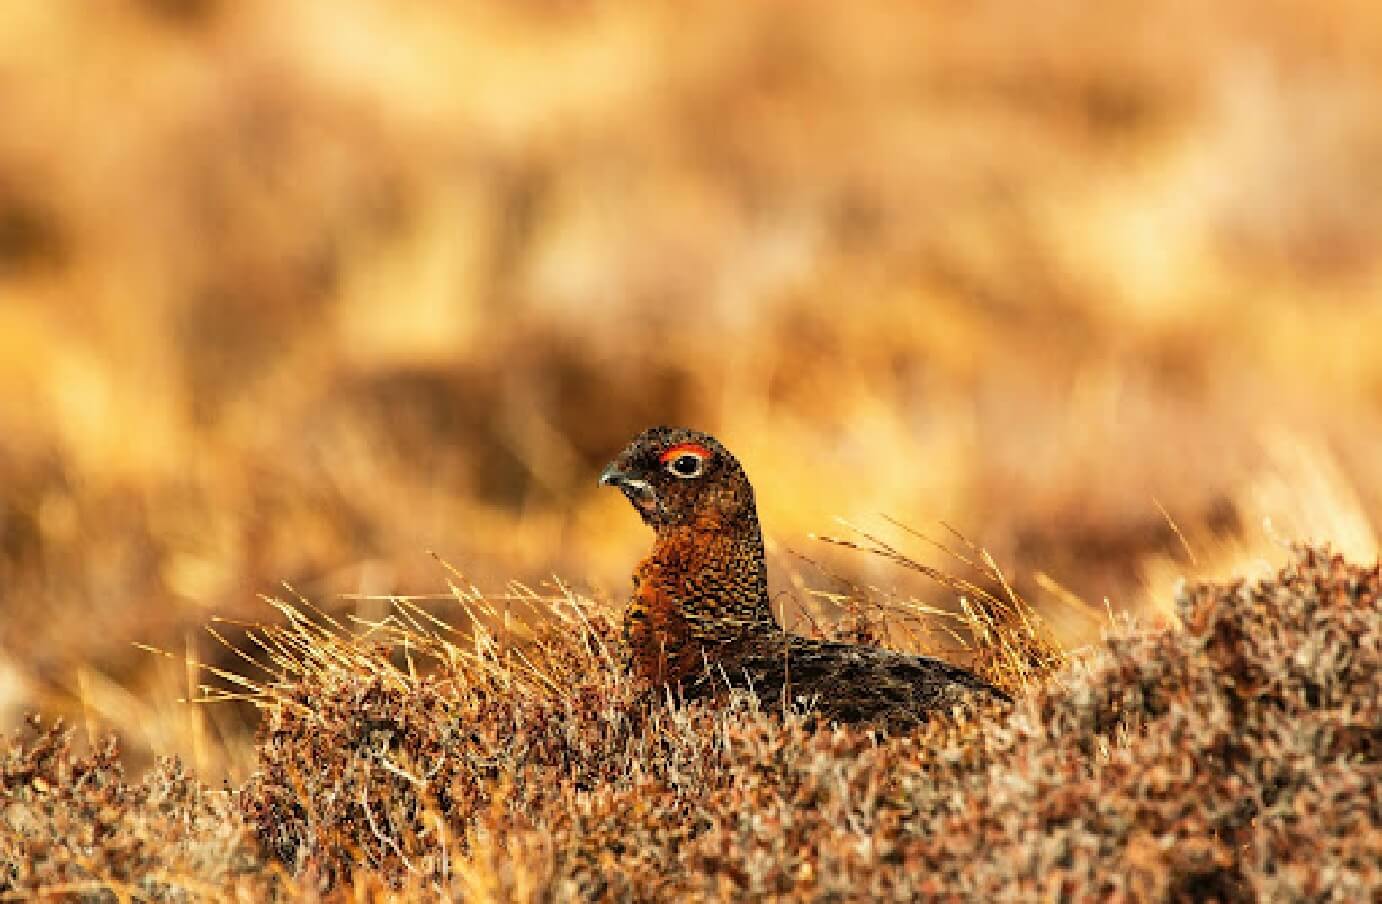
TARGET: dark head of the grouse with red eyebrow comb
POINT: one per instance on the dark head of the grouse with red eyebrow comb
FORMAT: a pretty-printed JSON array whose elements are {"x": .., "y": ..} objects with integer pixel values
[{"x": 675, "y": 476}]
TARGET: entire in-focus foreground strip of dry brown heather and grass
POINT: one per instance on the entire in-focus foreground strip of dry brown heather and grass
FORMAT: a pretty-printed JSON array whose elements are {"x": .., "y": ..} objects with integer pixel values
[{"x": 1233, "y": 760}]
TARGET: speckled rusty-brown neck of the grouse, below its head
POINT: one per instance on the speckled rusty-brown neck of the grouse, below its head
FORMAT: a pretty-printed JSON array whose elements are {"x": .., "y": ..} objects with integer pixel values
[{"x": 721, "y": 578}]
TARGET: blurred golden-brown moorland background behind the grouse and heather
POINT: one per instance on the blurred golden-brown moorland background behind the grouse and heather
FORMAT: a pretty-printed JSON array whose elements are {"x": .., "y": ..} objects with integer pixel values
[{"x": 303, "y": 291}]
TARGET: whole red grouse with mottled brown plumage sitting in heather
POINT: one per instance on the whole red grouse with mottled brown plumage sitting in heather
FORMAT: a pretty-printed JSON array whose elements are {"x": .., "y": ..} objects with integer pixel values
[{"x": 700, "y": 619}]
